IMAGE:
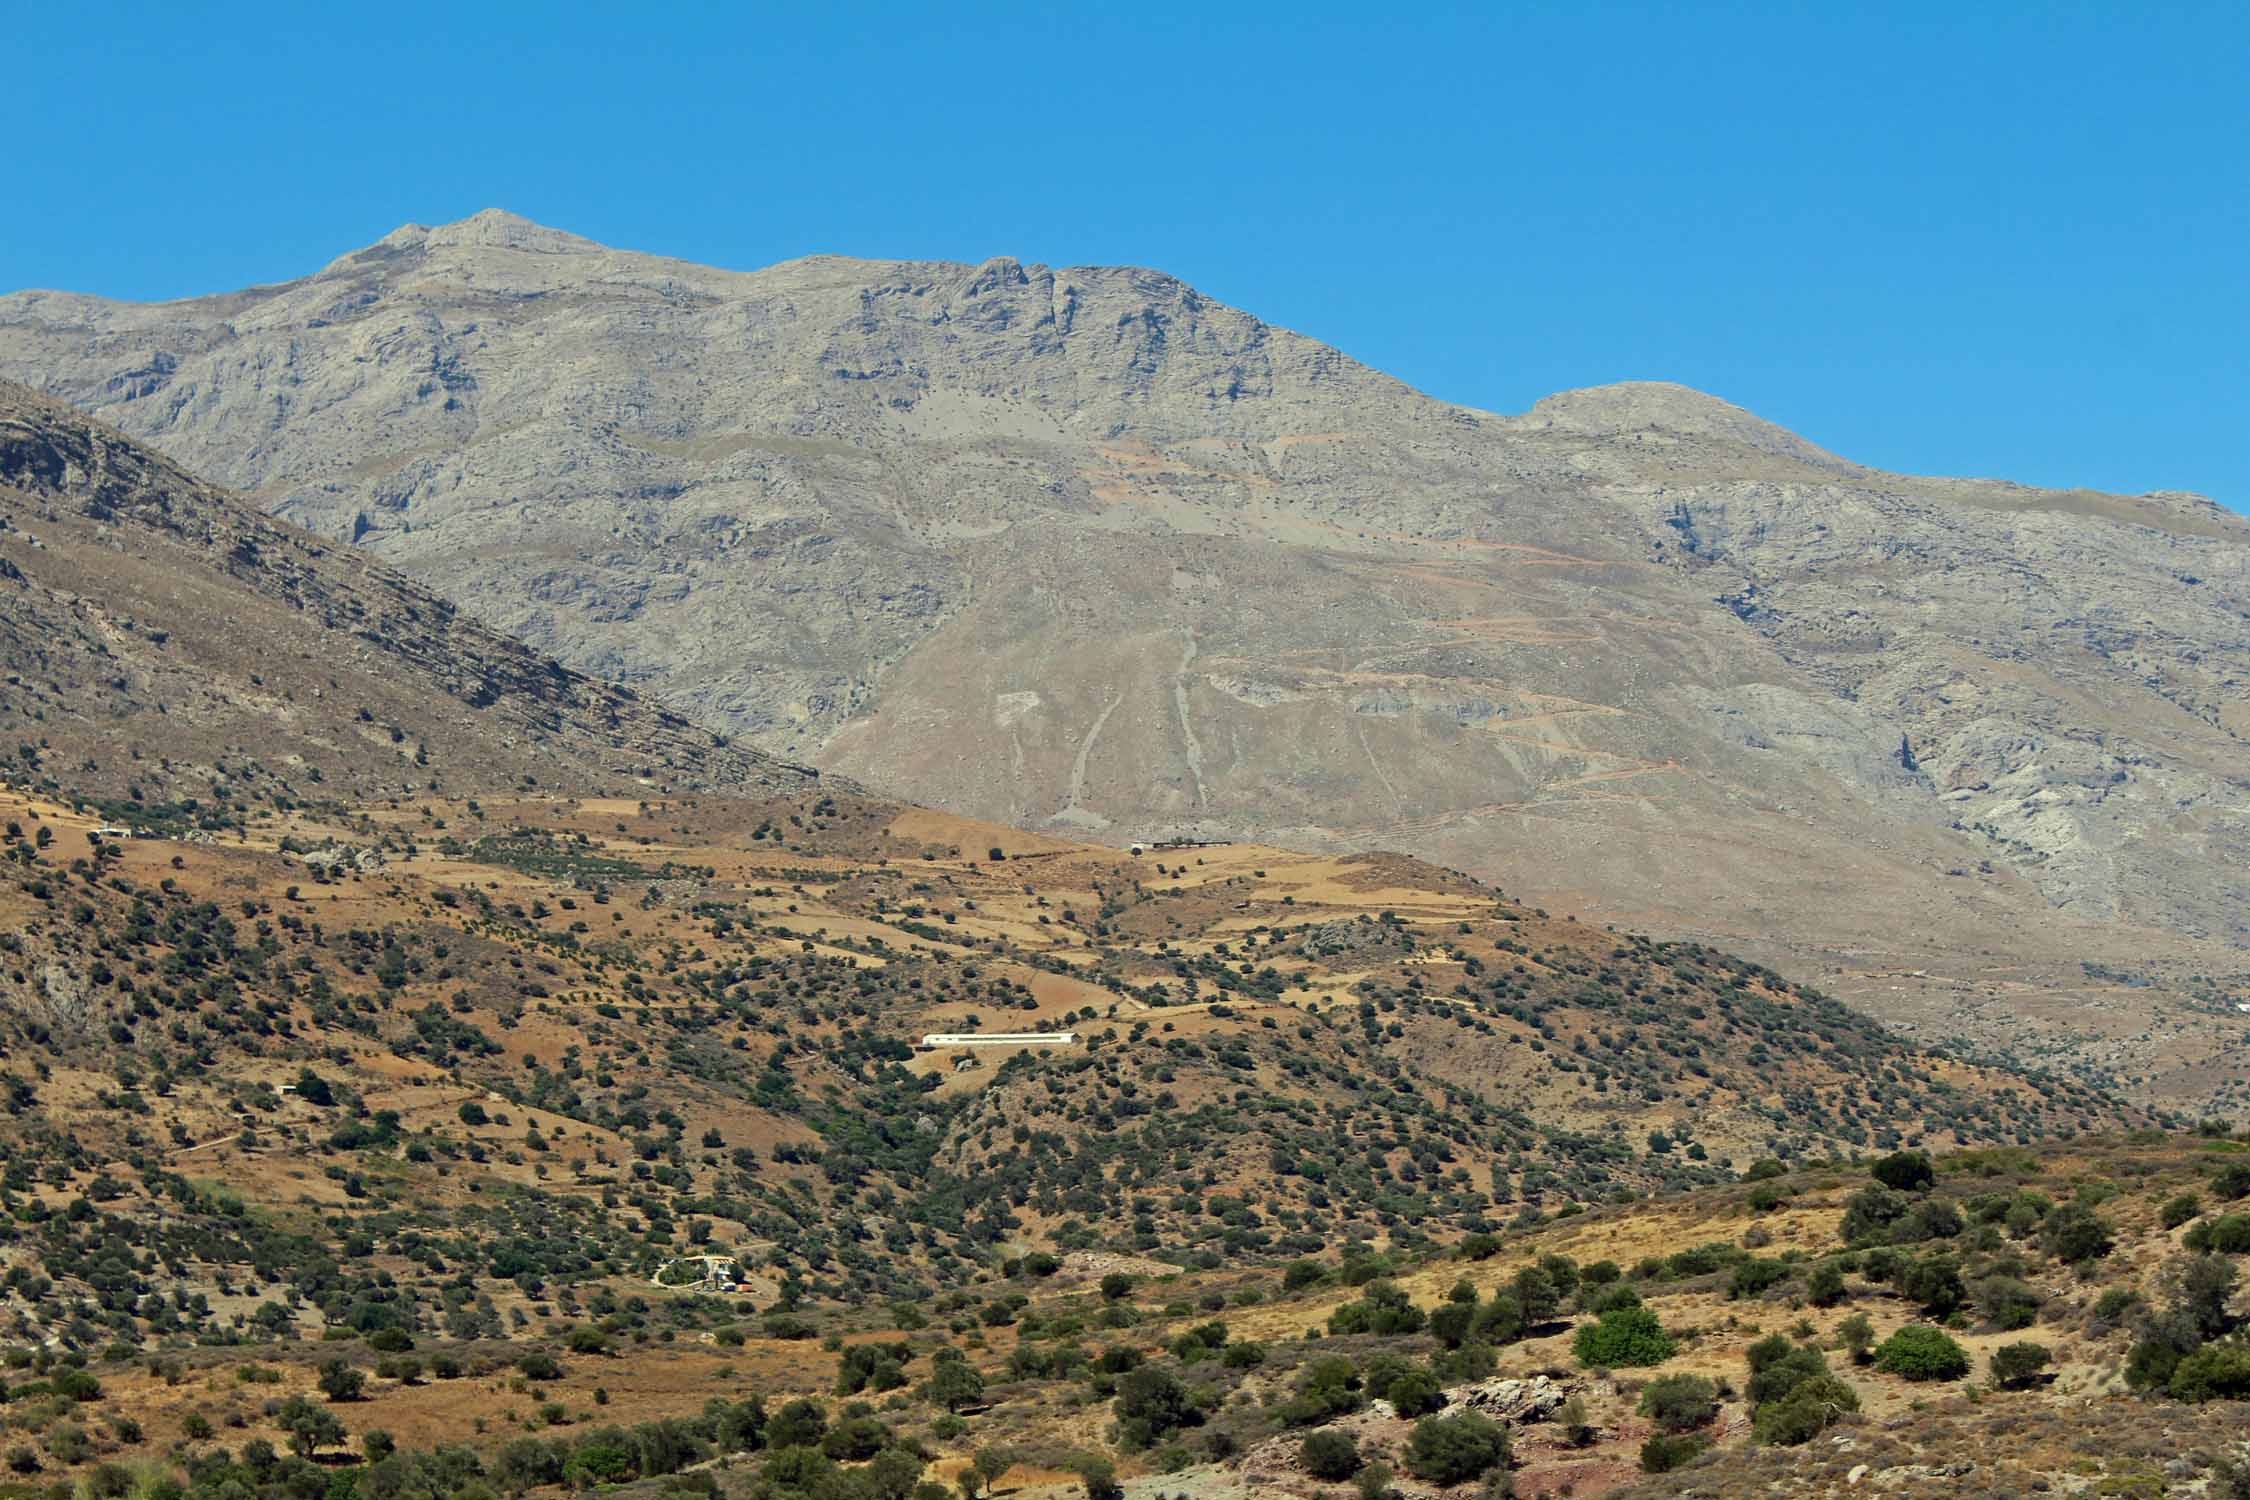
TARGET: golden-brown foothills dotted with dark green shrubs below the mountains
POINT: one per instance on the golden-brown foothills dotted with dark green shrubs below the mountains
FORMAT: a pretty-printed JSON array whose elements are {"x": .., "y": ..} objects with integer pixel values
[{"x": 433, "y": 1146}]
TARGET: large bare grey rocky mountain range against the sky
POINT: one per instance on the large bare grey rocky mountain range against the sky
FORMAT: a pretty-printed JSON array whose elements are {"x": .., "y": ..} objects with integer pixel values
[{"x": 1088, "y": 552}]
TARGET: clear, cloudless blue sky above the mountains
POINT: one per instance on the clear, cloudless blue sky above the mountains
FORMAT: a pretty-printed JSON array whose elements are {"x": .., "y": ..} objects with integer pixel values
[{"x": 1952, "y": 240}]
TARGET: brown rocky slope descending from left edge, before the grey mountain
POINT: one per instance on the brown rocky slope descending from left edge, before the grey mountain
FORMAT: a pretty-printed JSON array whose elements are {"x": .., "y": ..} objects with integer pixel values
[{"x": 168, "y": 647}]
